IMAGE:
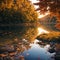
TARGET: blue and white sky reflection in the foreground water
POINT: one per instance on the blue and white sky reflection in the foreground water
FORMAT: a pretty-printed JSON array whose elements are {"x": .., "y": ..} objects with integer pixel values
[{"x": 38, "y": 52}]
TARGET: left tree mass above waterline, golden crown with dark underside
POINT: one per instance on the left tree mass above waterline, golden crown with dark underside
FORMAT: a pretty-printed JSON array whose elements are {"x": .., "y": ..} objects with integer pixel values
[{"x": 17, "y": 10}]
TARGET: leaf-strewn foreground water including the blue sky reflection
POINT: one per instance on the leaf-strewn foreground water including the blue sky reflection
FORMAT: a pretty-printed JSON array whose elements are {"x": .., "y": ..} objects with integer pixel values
[{"x": 25, "y": 50}]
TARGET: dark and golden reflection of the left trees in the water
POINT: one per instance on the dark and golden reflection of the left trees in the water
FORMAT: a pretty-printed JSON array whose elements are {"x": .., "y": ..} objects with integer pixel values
[{"x": 19, "y": 32}]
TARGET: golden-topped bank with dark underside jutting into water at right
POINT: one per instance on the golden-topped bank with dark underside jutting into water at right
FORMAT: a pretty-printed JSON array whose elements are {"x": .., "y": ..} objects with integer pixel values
[{"x": 51, "y": 37}]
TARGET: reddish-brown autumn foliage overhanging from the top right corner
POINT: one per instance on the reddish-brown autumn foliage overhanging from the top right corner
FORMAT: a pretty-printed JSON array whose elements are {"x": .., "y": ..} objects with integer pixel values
[{"x": 53, "y": 6}]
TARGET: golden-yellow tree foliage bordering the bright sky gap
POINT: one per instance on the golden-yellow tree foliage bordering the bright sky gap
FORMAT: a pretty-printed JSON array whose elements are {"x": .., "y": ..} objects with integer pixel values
[{"x": 28, "y": 10}]
